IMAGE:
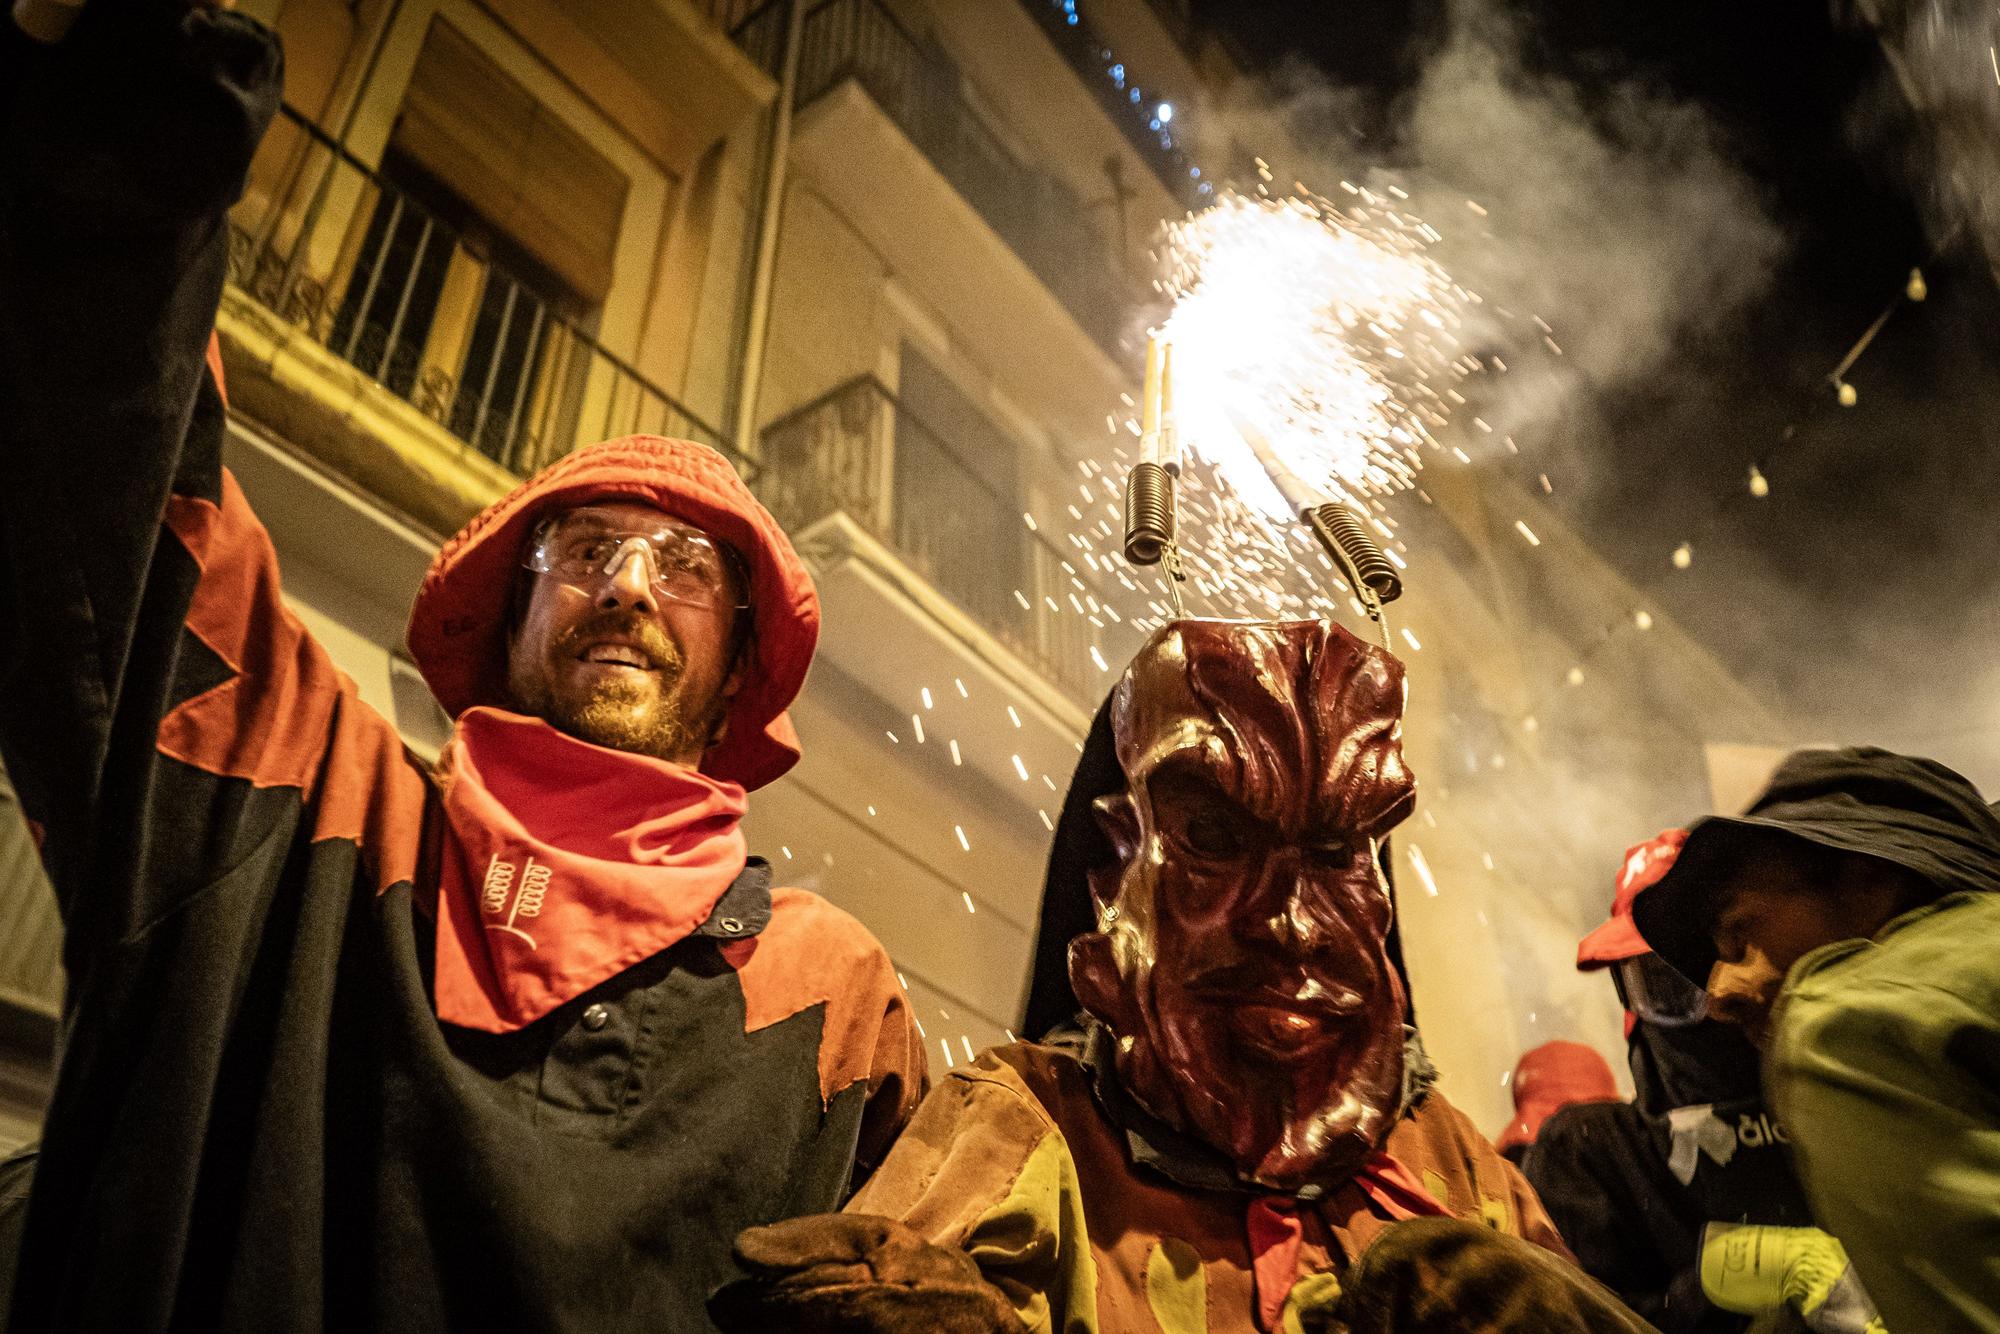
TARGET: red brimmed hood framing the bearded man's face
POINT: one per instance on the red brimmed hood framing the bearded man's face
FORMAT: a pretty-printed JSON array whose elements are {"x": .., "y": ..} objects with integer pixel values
[{"x": 461, "y": 617}]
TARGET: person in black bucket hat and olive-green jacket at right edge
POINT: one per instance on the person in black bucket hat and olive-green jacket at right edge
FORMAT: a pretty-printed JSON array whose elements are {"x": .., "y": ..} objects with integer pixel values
[{"x": 1845, "y": 923}]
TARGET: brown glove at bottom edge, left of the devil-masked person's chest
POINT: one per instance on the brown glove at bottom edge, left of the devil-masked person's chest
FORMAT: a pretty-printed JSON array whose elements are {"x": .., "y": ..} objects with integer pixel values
[{"x": 857, "y": 1275}]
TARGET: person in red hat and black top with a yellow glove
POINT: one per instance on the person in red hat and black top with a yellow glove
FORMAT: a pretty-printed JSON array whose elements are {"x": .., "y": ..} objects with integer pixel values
[{"x": 1683, "y": 1201}]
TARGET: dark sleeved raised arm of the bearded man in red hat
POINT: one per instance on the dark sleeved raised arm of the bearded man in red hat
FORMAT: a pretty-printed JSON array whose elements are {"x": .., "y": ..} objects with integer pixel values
[{"x": 121, "y": 151}]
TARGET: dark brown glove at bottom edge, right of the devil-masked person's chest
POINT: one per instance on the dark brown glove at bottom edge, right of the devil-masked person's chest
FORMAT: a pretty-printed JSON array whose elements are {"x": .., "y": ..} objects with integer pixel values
[{"x": 1453, "y": 1277}]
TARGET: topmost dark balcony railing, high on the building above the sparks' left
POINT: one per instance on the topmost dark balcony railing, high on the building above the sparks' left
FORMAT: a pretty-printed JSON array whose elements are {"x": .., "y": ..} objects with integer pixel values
[{"x": 919, "y": 89}]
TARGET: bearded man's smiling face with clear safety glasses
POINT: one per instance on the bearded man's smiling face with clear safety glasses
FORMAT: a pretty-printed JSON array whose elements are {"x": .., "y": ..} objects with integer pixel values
[{"x": 605, "y": 653}]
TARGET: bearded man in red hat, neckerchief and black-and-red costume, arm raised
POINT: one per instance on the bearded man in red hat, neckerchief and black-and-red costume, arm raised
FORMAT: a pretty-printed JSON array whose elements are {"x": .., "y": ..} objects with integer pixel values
[{"x": 353, "y": 1045}]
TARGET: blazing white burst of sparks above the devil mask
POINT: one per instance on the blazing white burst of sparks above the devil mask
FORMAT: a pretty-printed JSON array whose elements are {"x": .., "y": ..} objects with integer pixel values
[{"x": 1325, "y": 329}]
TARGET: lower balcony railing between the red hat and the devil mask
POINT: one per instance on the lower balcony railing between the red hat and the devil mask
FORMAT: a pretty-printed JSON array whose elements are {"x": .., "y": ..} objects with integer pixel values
[{"x": 857, "y": 451}]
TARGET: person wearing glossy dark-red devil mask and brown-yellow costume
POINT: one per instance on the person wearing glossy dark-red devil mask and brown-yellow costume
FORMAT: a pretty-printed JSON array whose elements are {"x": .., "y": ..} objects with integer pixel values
[{"x": 1239, "y": 1131}]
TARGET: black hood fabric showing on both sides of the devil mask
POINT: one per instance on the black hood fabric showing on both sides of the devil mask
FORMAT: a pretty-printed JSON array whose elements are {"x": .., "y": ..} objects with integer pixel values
[{"x": 1083, "y": 847}]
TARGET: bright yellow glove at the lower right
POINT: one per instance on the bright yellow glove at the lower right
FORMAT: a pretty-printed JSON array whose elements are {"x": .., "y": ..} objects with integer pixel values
[{"x": 1755, "y": 1269}]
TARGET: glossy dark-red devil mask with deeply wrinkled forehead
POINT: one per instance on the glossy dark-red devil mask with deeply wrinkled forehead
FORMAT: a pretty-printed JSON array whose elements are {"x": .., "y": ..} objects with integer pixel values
[{"x": 1241, "y": 957}]
